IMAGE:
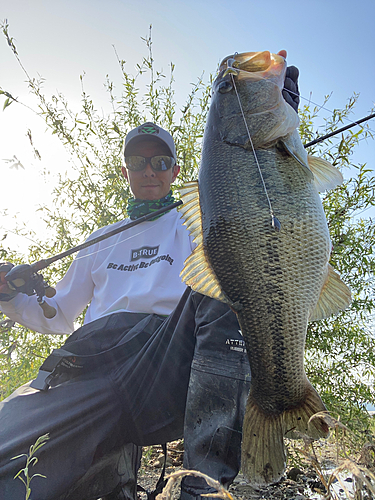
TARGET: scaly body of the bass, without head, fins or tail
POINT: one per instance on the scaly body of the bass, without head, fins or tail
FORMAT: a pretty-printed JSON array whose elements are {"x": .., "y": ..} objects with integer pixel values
[{"x": 264, "y": 270}]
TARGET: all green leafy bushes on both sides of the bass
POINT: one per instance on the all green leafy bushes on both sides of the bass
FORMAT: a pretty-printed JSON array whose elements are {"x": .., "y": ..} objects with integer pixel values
[{"x": 339, "y": 357}]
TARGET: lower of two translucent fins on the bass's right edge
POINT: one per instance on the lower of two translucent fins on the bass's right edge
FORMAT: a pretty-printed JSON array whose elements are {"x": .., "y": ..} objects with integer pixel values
[{"x": 334, "y": 297}]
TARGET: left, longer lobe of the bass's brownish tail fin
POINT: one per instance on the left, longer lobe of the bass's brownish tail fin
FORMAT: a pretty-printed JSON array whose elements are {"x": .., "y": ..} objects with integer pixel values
[{"x": 263, "y": 454}]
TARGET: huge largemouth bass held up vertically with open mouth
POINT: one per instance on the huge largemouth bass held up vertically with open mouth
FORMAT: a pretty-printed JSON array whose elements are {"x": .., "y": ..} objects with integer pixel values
[{"x": 263, "y": 248}]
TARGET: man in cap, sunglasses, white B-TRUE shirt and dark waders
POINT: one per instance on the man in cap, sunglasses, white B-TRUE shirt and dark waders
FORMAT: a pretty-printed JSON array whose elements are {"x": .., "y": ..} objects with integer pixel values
[{"x": 143, "y": 339}]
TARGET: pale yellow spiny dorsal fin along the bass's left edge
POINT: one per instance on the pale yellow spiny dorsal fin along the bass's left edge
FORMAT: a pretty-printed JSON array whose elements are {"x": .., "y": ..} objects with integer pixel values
[{"x": 197, "y": 272}]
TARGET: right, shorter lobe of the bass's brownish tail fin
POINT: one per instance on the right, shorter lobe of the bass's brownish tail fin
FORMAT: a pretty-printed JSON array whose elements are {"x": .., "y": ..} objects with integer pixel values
[{"x": 299, "y": 418}]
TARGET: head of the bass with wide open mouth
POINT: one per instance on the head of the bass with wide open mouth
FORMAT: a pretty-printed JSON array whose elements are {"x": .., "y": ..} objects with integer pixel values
[{"x": 247, "y": 97}]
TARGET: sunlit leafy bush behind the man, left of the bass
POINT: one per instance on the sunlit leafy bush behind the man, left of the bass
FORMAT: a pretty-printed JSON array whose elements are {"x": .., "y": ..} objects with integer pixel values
[{"x": 96, "y": 195}]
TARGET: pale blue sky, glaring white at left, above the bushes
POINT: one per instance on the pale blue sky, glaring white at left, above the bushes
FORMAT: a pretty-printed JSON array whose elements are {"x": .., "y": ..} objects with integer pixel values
[{"x": 330, "y": 41}]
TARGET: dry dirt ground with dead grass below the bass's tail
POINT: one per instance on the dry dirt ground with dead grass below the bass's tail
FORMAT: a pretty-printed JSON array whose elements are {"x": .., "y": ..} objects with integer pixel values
[{"x": 300, "y": 482}]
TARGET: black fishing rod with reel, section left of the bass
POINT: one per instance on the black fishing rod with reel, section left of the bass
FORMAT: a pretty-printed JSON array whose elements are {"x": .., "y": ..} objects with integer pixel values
[{"x": 24, "y": 278}]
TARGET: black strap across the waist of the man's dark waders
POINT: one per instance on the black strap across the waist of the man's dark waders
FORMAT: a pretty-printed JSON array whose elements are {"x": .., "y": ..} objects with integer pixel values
[{"x": 63, "y": 361}]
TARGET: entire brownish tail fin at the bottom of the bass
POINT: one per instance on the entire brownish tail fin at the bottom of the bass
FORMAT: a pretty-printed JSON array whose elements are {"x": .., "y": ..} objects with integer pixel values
[{"x": 263, "y": 451}]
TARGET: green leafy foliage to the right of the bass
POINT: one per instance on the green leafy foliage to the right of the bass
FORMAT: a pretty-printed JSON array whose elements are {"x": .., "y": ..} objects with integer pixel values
[{"x": 339, "y": 356}]
